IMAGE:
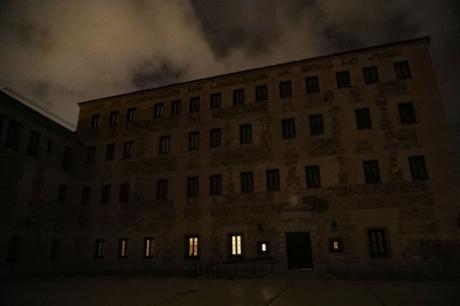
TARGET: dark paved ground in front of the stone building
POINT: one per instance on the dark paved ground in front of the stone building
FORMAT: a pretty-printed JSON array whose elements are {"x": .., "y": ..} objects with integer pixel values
[{"x": 133, "y": 291}]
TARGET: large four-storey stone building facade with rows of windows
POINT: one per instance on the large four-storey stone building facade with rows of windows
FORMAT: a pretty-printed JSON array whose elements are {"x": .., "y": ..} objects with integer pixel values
[{"x": 339, "y": 163}]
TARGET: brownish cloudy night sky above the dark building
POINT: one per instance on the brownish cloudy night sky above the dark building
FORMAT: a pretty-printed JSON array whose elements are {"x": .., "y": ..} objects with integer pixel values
[{"x": 59, "y": 52}]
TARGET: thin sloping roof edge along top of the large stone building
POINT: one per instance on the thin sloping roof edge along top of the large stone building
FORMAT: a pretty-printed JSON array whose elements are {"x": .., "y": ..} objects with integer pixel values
[{"x": 425, "y": 39}]
